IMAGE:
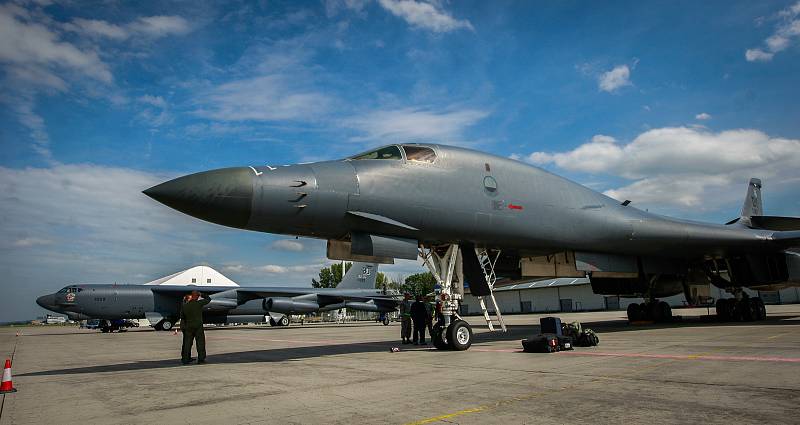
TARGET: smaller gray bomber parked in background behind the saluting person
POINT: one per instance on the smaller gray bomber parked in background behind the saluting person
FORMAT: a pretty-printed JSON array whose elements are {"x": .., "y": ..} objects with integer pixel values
[{"x": 160, "y": 304}]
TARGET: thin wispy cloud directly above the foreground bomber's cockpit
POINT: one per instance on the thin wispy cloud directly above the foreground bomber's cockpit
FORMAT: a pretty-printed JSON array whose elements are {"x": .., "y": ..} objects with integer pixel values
[{"x": 411, "y": 124}]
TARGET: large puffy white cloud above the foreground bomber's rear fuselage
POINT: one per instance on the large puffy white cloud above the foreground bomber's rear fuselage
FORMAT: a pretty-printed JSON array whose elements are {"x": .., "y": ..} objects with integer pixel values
[{"x": 680, "y": 166}]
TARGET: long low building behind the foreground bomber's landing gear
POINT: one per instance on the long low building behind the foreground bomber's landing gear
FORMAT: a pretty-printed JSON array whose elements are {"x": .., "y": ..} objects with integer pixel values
[{"x": 575, "y": 294}]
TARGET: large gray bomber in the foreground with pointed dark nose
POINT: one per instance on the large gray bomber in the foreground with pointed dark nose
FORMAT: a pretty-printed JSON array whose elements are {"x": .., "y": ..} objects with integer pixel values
[{"x": 483, "y": 219}]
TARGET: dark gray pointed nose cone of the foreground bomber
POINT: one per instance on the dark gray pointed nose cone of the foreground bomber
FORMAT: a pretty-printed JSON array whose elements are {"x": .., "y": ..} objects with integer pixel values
[{"x": 221, "y": 196}]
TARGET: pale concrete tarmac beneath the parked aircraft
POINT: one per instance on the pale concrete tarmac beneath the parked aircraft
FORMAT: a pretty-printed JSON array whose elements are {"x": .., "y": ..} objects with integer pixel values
[{"x": 694, "y": 371}]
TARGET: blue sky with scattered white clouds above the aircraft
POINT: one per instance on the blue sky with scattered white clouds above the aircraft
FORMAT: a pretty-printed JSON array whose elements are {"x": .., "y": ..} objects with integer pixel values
[{"x": 673, "y": 105}]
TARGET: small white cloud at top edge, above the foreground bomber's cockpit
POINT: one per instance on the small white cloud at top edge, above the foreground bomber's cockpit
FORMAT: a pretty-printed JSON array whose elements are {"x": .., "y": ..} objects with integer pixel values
[{"x": 424, "y": 15}]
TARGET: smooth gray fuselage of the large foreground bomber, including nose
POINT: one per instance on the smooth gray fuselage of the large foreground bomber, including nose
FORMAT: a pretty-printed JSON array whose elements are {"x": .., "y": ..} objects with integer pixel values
[{"x": 451, "y": 195}]
